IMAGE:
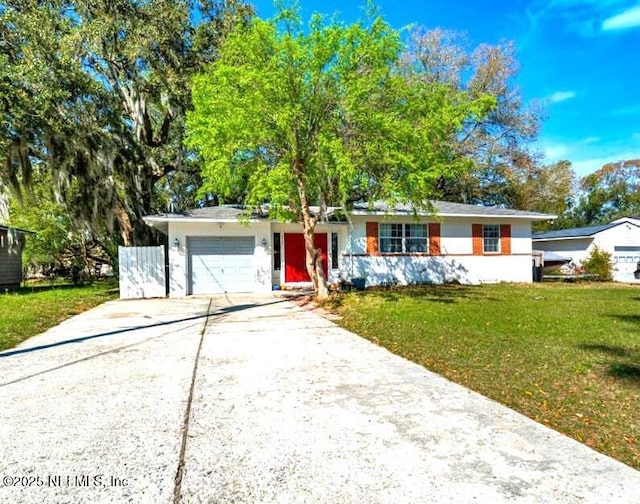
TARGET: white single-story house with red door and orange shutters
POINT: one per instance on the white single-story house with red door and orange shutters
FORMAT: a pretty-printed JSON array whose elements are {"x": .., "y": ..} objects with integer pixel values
[{"x": 211, "y": 251}]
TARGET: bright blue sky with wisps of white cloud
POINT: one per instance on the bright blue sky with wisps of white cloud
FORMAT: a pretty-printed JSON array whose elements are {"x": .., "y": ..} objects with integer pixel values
[{"x": 581, "y": 58}]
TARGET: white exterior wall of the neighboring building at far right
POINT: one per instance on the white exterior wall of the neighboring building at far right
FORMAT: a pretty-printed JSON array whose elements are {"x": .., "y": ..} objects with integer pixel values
[{"x": 624, "y": 235}]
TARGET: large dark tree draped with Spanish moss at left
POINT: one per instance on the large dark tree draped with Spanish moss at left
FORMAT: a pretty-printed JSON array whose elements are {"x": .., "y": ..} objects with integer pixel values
[{"x": 97, "y": 93}]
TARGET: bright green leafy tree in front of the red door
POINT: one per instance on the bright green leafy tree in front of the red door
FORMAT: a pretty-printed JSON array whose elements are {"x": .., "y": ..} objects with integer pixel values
[{"x": 297, "y": 117}]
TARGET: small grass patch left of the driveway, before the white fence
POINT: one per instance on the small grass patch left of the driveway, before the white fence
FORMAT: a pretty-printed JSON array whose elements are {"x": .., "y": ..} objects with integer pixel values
[{"x": 34, "y": 309}]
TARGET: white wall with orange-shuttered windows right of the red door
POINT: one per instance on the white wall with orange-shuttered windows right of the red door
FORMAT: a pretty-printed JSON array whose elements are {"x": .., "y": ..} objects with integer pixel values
[{"x": 456, "y": 262}]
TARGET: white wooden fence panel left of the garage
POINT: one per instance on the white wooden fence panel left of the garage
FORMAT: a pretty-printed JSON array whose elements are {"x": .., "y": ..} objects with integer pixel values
[{"x": 142, "y": 272}]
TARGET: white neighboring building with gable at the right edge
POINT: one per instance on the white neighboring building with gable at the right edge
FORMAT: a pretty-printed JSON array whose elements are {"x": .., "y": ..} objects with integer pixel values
[{"x": 621, "y": 238}]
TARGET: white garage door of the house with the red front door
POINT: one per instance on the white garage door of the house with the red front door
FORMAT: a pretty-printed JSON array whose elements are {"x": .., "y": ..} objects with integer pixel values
[{"x": 221, "y": 264}]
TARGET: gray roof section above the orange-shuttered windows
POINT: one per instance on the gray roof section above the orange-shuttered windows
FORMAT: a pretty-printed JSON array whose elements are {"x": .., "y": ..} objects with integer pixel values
[{"x": 445, "y": 208}]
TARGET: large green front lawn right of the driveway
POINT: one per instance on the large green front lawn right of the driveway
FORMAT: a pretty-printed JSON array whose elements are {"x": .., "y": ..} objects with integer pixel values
[{"x": 567, "y": 356}]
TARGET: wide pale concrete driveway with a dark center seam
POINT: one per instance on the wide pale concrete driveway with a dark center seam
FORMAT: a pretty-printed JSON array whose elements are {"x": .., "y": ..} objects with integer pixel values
[{"x": 253, "y": 399}]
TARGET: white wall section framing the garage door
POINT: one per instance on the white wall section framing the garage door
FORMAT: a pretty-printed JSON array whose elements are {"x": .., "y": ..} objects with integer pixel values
[{"x": 178, "y": 256}]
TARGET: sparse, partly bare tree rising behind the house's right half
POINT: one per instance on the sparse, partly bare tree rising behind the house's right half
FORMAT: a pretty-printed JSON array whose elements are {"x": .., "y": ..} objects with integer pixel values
[{"x": 499, "y": 144}]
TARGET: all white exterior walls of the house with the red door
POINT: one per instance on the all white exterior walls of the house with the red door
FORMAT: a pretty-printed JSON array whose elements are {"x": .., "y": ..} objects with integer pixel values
[{"x": 457, "y": 262}]
